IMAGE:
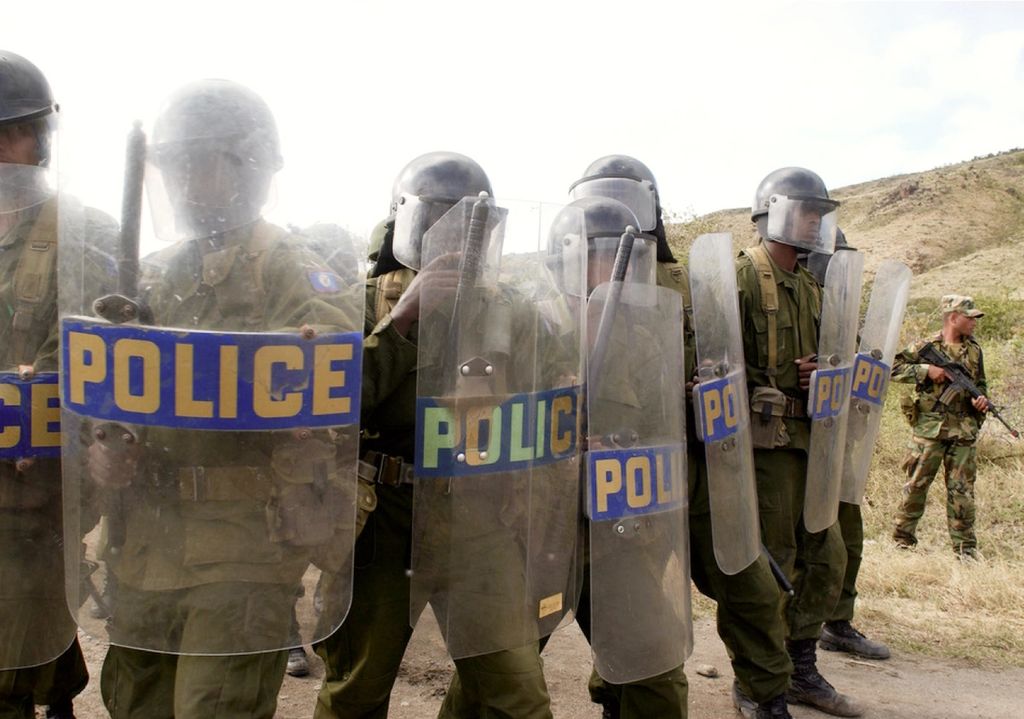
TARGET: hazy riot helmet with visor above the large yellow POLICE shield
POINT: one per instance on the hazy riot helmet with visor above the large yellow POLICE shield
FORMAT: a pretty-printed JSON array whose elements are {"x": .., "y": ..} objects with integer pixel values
[{"x": 215, "y": 150}]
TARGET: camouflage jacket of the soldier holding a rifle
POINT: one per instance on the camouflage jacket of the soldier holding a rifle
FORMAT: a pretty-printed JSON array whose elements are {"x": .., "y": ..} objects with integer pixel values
[{"x": 935, "y": 413}]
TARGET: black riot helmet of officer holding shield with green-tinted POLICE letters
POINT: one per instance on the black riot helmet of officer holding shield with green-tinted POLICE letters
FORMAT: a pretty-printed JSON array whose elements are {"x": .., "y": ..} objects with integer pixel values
[{"x": 425, "y": 190}]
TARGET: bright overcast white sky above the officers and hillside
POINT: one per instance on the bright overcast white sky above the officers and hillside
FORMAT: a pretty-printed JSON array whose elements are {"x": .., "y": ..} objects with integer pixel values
[{"x": 712, "y": 99}]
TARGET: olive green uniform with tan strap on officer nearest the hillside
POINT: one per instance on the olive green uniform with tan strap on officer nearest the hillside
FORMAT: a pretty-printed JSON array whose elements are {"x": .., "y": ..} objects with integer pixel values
[{"x": 815, "y": 563}]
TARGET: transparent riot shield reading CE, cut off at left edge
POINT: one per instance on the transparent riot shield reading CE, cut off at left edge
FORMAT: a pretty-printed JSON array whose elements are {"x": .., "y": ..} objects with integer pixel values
[{"x": 35, "y": 624}]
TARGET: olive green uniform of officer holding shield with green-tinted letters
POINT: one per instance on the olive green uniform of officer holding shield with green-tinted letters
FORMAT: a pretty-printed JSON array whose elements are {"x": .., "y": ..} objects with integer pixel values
[{"x": 363, "y": 657}]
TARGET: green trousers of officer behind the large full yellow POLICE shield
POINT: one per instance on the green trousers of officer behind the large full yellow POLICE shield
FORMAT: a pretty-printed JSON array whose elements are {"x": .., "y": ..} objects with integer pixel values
[{"x": 140, "y": 685}]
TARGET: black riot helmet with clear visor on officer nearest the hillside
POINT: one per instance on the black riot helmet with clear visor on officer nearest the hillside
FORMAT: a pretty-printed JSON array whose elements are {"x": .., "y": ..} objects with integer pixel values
[{"x": 792, "y": 207}]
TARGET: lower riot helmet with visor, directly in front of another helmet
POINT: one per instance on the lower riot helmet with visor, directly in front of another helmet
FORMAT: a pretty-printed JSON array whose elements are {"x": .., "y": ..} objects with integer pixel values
[{"x": 579, "y": 267}]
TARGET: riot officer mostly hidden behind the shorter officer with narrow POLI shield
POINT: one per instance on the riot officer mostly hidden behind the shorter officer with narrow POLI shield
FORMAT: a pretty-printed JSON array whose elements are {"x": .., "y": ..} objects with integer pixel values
[{"x": 751, "y": 629}]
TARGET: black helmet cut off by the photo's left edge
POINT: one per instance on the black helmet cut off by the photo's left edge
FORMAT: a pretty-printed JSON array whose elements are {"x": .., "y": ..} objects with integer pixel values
[{"x": 26, "y": 98}]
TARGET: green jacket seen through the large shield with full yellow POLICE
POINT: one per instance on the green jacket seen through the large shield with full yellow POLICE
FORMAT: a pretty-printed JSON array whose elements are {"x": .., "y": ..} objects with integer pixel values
[{"x": 232, "y": 523}]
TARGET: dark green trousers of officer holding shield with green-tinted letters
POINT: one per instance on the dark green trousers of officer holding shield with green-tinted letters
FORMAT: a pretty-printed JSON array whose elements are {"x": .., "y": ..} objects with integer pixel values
[{"x": 362, "y": 659}]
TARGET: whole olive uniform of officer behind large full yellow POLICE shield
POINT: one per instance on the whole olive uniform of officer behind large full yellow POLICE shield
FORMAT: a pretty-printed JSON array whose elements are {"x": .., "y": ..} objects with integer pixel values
[{"x": 211, "y": 561}]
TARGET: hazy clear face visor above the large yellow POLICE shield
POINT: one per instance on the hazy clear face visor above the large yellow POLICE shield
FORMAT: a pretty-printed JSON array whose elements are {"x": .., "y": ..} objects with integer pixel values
[{"x": 199, "y": 189}]
